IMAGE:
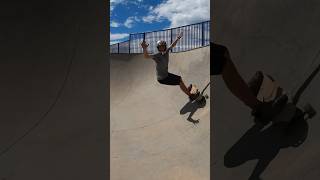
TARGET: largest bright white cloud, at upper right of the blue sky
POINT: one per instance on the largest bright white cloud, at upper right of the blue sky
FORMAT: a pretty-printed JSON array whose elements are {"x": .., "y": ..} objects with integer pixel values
[{"x": 180, "y": 12}]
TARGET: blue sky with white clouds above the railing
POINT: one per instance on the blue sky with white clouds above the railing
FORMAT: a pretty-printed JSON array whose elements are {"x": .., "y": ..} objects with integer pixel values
[{"x": 131, "y": 16}]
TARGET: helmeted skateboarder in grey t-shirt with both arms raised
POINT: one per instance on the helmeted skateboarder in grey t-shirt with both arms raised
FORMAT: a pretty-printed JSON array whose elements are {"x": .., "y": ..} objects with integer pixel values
[{"x": 162, "y": 60}]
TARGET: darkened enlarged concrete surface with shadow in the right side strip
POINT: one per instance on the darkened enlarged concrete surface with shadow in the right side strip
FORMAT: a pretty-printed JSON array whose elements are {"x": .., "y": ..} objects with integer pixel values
[{"x": 280, "y": 38}]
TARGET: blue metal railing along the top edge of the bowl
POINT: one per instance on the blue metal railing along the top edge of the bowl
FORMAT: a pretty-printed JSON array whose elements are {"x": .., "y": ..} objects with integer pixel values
[{"x": 194, "y": 36}]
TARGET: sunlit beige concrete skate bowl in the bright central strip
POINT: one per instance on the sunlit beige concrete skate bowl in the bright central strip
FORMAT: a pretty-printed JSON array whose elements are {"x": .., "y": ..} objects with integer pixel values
[{"x": 152, "y": 137}]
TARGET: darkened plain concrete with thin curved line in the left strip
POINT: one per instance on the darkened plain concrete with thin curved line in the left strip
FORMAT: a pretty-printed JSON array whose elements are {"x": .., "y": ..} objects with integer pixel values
[{"x": 53, "y": 92}]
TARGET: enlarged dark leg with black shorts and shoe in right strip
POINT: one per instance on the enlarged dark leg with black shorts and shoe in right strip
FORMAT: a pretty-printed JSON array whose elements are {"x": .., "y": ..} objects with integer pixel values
[{"x": 221, "y": 64}]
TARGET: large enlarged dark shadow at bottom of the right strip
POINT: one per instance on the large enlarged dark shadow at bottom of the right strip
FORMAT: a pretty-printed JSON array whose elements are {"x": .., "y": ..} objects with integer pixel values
[{"x": 264, "y": 144}]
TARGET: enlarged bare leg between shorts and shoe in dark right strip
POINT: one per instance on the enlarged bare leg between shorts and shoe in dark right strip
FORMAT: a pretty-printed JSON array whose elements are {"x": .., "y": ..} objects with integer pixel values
[{"x": 238, "y": 86}]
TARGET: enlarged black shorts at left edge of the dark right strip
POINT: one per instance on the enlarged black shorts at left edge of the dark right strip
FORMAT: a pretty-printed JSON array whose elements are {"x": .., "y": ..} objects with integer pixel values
[{"x": 218, "y": 58}]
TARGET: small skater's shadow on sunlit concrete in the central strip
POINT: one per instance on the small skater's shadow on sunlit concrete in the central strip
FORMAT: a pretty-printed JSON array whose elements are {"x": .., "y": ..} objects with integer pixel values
[{"x": 192, "y": 107}]
